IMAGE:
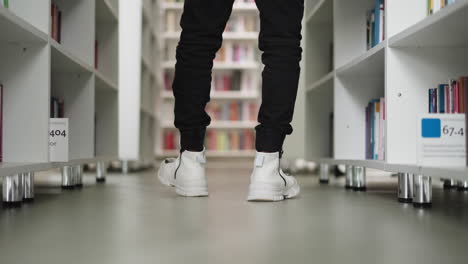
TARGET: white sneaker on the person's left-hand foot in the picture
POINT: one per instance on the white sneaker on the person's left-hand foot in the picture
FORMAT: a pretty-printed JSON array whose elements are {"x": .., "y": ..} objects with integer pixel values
[{"x": 186, "y": 174}]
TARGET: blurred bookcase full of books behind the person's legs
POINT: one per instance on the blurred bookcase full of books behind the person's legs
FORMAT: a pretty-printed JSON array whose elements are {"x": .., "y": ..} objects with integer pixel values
[{"x": 247, "y": 92}]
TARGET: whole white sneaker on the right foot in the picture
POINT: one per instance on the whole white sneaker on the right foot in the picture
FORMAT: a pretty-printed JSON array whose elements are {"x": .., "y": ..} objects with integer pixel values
[{"x": 268, "y": 182}]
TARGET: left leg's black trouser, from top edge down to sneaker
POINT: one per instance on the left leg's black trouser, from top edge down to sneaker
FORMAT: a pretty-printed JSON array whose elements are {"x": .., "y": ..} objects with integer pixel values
[{"x": 203, "y": 23}]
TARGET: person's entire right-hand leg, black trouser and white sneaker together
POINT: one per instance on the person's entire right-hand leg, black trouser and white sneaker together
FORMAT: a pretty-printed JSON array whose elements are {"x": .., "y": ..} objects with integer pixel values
[{"x": 280, "y": 38}]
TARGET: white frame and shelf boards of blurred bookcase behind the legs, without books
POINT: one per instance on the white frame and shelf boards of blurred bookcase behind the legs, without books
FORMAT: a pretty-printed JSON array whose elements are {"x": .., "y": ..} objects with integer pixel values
[{"x": 165, "y": 98}]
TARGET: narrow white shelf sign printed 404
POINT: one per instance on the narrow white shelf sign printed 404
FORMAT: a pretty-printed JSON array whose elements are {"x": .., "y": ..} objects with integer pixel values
[{"x": 58, "y": 139}]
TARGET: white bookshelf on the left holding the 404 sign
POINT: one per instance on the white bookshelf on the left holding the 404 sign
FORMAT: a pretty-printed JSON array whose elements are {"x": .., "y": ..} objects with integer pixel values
[{"x": 36, "y": 66}]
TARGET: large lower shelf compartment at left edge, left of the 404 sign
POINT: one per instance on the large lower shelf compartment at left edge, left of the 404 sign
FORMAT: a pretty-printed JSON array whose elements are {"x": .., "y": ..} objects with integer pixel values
[{"x": 25, "y": 75}]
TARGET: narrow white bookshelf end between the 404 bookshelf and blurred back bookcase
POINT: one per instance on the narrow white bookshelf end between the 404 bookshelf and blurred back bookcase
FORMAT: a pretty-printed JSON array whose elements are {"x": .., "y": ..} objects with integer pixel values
[{"x": 139, "y": 63}]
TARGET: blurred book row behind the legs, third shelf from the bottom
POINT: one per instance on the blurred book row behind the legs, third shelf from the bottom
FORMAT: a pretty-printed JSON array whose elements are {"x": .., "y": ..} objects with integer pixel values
[{"x": 224, "y": 81}]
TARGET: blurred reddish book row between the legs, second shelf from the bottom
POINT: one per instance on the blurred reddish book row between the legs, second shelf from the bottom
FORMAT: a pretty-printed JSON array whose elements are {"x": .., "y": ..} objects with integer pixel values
[{"x": 232, "y": 111}]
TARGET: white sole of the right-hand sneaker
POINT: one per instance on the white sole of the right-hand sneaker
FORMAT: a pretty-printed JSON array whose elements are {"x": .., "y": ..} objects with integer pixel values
[{"x": 266, "y": 194}]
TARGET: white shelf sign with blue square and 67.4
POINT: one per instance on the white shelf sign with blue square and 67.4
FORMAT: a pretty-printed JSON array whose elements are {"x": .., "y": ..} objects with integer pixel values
[{"x": 441, "y": 140}]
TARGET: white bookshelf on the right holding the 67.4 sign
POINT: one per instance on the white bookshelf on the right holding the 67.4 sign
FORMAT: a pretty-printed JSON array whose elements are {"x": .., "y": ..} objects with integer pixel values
[{"x": 418, "y": 52}]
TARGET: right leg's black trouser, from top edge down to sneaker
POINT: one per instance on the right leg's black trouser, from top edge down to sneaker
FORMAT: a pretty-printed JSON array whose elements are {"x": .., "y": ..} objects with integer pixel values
[{"x": 280, "y": 38}]
